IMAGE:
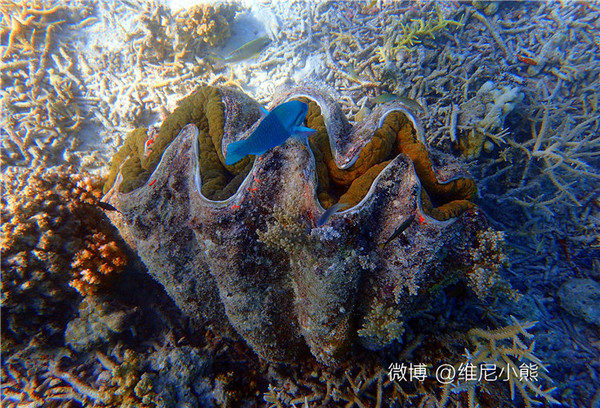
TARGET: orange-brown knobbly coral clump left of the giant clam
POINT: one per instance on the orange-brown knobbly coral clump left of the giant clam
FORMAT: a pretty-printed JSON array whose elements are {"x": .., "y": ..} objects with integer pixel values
[{"x": 51, "y": 221}]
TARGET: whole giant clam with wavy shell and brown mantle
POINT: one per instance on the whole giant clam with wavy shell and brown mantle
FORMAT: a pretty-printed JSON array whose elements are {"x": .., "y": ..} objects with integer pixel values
[{"x": 238, "y": 249}]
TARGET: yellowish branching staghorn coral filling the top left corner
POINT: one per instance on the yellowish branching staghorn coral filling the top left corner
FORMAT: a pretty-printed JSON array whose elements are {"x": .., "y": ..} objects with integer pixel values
[{"x": 40, "y": 109}]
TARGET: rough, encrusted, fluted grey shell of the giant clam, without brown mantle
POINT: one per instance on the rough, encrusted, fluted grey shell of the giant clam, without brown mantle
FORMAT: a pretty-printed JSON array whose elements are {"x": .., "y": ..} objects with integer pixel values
[{"x": 258, "y": 263}]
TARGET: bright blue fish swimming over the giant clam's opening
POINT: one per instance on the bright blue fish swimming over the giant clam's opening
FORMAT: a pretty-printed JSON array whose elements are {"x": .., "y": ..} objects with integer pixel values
[{"x": 280, "y": 124}]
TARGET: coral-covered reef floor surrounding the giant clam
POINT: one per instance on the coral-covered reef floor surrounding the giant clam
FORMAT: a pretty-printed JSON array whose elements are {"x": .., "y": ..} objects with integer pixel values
[{"x": 509, "y": 88}]
